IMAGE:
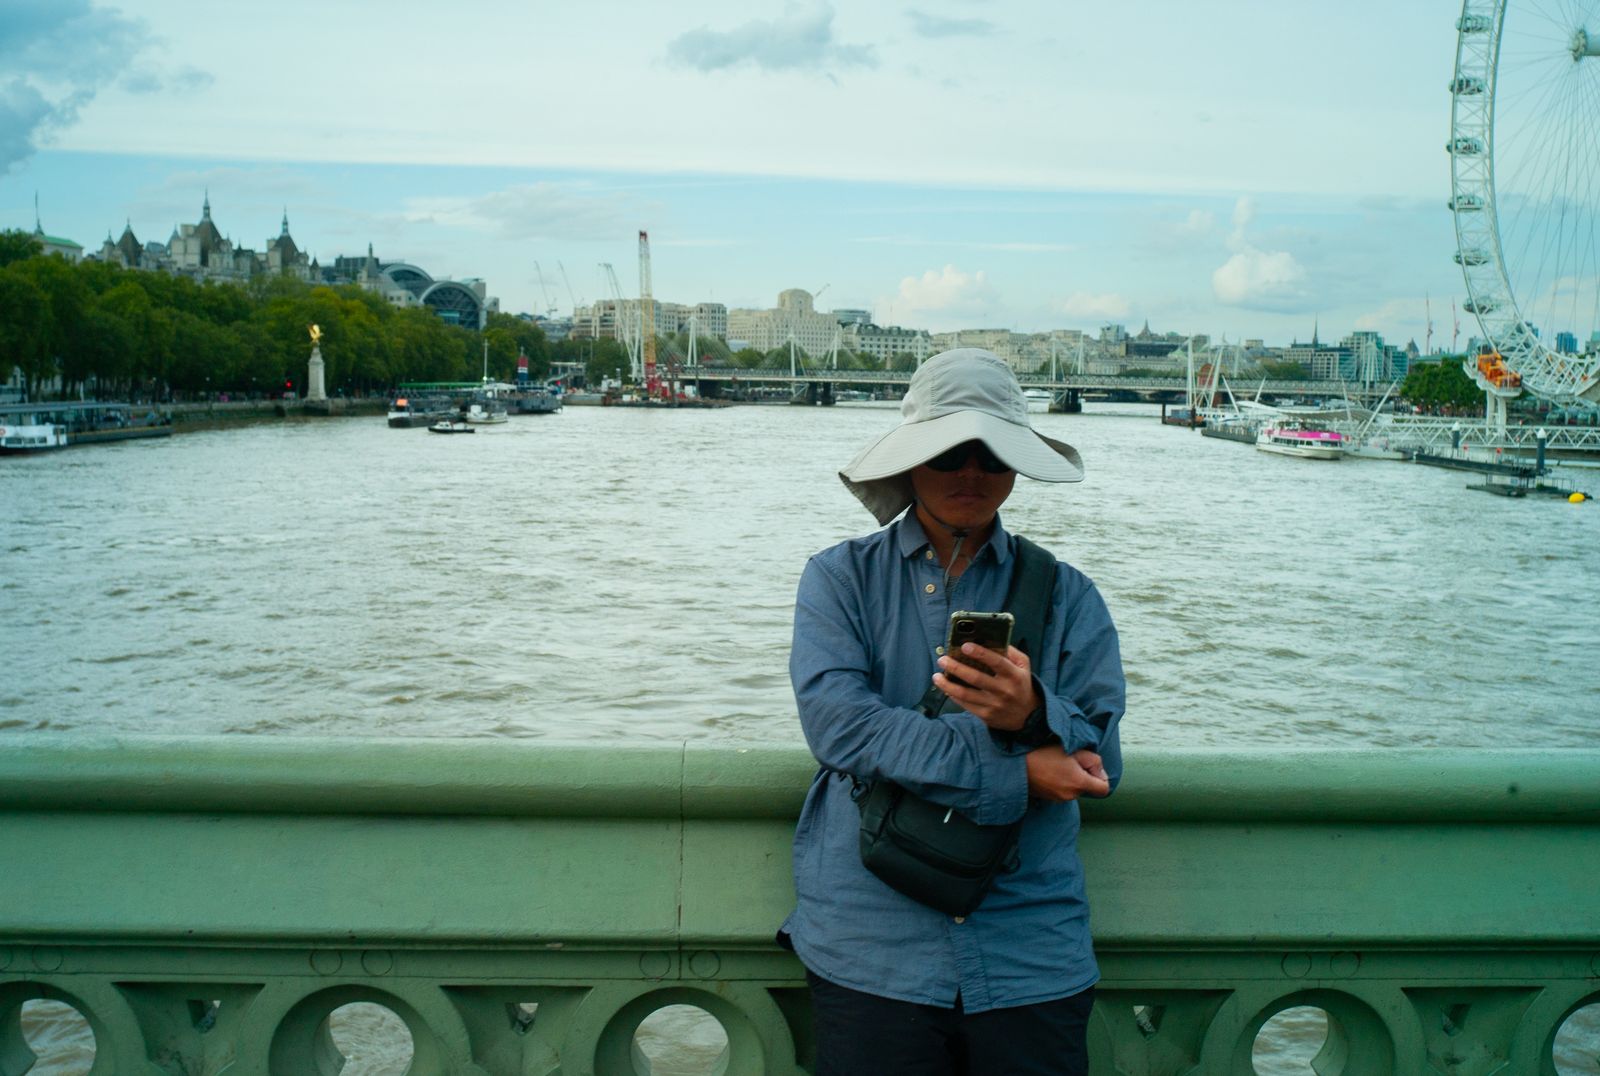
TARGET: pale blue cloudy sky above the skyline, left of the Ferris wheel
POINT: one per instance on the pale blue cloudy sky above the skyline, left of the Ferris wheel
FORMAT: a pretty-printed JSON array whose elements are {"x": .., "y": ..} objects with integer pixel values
[{"x": 1244, "y": 169}]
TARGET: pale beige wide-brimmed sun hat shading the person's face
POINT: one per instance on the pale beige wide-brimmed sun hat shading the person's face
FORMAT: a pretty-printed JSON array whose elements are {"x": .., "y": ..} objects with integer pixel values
[{"x": 958, "y": 396}]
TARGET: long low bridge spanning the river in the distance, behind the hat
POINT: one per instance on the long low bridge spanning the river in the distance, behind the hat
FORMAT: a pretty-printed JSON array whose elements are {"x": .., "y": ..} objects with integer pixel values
[{"x": 1066, "y": 390}]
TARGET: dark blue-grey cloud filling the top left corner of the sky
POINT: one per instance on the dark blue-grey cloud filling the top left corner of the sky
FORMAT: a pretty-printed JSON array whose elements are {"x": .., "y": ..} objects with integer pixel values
[{"x": 57, "y": 57}]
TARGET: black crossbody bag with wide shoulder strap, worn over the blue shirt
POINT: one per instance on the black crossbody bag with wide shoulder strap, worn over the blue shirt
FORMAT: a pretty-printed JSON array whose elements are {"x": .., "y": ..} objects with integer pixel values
[{"x": 932, "y": 853}]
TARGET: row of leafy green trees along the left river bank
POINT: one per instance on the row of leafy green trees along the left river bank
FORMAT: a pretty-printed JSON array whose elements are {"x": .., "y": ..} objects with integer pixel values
[{"x": 97, "y": 329}]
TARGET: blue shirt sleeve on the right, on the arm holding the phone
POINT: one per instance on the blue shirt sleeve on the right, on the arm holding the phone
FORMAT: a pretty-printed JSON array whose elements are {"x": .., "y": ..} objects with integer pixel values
[{"x": 1086, "y": 704}]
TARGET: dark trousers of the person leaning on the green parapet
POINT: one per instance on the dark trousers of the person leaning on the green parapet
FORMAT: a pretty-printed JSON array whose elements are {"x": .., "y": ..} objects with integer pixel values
[{"x": 865, "y": 1035}]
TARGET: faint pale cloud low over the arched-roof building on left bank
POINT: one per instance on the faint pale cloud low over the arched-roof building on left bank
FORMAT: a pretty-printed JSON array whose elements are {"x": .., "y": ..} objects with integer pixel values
[{"x": 537, "y": 211}]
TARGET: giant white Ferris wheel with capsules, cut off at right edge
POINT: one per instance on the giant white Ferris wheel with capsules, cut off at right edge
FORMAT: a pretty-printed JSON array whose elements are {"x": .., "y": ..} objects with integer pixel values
[{"x": 1526, "y": 193}]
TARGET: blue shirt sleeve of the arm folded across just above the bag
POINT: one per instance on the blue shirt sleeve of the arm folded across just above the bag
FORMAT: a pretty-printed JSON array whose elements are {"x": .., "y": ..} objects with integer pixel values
[{"x": 852, "y": 729}]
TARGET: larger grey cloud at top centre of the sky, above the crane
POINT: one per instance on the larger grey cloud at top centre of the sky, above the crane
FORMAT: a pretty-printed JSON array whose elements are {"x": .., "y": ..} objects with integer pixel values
[{"x": 801, "y": 41}]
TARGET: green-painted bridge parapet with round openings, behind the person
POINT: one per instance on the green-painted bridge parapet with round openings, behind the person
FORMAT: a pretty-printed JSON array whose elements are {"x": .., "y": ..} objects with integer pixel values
[{"x": 207, "y": 904}]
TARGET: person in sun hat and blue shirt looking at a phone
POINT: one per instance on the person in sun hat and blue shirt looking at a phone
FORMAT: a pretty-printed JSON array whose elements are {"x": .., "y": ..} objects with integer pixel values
[{"x": 897, "y": 986}]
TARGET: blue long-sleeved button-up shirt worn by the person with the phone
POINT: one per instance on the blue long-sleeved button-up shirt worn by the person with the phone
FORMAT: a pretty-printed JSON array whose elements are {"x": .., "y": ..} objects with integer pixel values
[{"x": 870, "y": 619}]
